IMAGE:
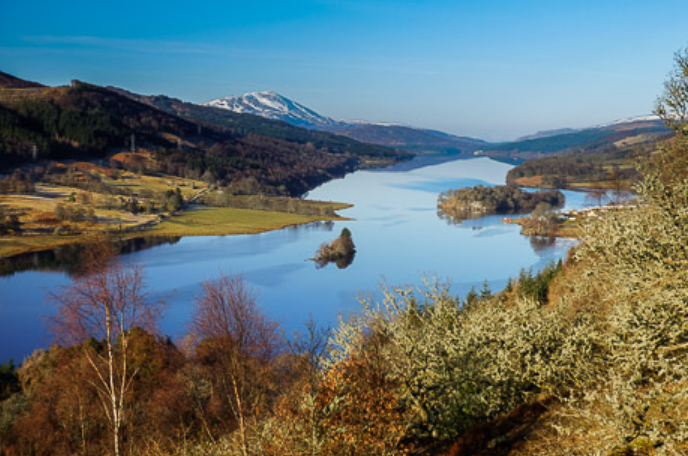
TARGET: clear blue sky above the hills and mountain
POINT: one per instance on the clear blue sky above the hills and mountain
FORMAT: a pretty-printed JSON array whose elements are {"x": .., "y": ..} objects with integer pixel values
[{"x": 493, "y": 69}]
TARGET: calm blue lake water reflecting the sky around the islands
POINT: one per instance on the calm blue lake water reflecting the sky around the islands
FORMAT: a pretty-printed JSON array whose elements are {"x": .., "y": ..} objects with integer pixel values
[{"x": 398, "y": 235}]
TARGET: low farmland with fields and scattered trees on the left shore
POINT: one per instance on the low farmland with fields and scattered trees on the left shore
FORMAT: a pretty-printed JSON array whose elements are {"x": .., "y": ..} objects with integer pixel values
[{"x": 134, "y": 205}]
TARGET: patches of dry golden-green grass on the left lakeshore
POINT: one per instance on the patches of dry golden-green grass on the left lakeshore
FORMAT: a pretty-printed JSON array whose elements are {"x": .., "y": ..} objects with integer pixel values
[{"x": 39, "y": 223}]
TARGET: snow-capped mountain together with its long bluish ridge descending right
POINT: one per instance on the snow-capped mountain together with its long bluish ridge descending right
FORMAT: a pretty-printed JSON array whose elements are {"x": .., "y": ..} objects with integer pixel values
[{"x": 274, "y": 106}]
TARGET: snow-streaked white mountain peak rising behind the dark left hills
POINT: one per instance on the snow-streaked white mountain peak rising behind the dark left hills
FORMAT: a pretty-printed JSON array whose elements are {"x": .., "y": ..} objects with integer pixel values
[{"x": 273, "y": 106}]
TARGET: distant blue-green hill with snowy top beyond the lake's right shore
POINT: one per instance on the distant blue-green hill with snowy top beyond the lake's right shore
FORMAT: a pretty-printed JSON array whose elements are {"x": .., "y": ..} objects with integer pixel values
[{"x": 610, "y": 137}]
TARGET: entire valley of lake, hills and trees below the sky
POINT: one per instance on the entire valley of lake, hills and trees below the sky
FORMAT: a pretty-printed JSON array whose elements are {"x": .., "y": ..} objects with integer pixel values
[{"x": 132, "y": 204}]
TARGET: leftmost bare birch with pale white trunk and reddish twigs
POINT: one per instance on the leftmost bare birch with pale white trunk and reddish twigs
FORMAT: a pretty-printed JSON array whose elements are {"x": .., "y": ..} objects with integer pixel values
[{"x": 105, "y": 304}]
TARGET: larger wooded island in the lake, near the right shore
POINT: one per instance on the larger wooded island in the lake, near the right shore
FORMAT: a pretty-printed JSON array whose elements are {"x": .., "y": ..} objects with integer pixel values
[{"x": 464, "y": 203}]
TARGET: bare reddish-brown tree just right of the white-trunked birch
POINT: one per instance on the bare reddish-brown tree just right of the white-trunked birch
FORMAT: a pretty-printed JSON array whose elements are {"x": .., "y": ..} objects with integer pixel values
[{"x": 243, "y": 341}]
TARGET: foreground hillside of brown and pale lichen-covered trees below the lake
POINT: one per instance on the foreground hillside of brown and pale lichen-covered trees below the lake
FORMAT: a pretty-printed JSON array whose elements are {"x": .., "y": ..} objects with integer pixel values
[{"x": 585, "y": 357}]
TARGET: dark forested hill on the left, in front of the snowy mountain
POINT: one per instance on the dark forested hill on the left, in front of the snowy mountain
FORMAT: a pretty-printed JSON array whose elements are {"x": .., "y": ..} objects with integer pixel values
[{"x": 86, "y": 121}]
